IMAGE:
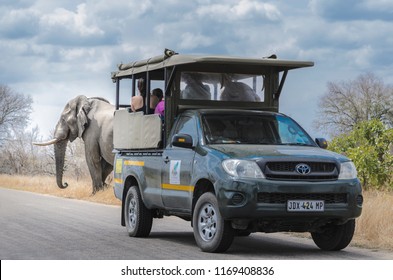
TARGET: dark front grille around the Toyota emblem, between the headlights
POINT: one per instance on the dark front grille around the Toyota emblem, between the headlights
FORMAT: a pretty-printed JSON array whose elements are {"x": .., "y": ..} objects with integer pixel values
[{"x": 287, "y": 170}]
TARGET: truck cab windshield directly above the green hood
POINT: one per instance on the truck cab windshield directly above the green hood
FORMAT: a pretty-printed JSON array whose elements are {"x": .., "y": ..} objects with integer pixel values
[{"x": 253, "y": 129}]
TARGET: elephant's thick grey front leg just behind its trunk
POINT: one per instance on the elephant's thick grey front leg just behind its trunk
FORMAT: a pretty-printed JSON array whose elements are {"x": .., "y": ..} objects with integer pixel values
[{"x": 93, "y": 160}]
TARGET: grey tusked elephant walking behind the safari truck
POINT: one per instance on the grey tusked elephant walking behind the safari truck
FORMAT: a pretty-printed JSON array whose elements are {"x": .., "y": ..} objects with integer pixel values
[{"x": 92, "y": 120}]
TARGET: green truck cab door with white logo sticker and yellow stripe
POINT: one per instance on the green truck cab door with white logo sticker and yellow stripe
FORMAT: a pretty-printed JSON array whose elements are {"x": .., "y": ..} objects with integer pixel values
[{"x": 177, "y": 168}]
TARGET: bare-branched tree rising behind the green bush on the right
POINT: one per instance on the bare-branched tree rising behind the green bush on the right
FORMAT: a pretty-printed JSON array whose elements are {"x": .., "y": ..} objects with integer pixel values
[{"x": 348, "y": 103}]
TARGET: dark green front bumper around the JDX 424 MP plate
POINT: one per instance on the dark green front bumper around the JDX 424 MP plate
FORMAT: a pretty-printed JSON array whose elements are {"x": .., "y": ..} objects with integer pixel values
[{"x": 264, "y": 203}]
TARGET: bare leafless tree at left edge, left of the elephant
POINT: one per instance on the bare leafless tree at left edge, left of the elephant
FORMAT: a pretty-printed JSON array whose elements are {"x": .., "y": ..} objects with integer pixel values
[{"x": 15, "y": 110}]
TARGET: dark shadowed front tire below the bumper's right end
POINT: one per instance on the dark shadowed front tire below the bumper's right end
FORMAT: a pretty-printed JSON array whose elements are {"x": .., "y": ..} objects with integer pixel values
[{"x": 334, "y": 237}]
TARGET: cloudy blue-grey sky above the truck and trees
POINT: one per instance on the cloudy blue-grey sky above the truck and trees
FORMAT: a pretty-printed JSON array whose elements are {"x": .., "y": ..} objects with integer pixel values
[{"x": 54, "y": 50}]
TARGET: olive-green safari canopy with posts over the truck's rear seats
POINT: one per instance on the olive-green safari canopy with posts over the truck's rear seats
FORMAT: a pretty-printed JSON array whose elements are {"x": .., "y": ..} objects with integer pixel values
[{"x": 207, "y": 81}]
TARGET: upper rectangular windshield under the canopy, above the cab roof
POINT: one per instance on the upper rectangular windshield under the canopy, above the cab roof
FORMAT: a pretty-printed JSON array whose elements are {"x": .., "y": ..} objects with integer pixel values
[{"x": 221, "y": 86}]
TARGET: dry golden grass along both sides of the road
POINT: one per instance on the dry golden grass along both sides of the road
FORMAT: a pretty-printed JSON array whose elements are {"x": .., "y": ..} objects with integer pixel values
[{"x": 374, "y": 228}]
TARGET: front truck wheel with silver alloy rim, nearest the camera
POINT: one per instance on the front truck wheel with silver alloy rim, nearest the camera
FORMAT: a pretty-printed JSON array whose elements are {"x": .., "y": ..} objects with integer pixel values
[{"x": 211, "y": 232}]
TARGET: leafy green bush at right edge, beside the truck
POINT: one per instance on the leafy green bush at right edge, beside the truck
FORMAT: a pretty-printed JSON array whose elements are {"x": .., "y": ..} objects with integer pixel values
[{"x": 369, "y": 146}]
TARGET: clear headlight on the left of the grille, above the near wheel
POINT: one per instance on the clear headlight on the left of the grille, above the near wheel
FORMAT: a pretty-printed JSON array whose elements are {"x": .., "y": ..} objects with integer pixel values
[{"x": 242, "y": 168}]
